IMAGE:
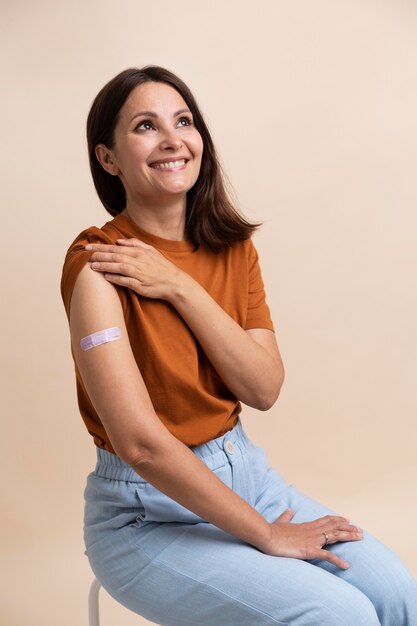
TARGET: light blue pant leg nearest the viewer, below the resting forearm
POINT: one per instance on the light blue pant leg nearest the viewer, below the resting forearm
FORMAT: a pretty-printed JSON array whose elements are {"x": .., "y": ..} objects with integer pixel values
[{"x": 184, "y": 575}]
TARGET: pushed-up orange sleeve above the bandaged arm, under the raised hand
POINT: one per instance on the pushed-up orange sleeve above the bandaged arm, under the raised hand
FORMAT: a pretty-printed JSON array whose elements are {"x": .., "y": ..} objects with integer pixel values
[{"x": 75, "y": 259}]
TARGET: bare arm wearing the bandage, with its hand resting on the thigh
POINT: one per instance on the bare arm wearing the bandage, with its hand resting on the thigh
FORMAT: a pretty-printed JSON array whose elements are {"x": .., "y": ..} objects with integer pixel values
[{"x": 118, "y": 393}]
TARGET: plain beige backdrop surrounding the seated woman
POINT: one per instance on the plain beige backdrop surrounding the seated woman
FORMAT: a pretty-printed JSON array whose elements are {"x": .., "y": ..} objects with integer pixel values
[{"x": 312, "y": 107}]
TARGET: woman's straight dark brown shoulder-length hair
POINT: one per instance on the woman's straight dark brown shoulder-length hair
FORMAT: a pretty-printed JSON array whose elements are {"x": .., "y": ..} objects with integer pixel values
[{"x": 211, "y": 218}]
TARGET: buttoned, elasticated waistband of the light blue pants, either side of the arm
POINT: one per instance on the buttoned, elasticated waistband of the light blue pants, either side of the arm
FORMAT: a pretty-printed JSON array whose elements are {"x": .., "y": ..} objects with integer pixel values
[{"x": 214, "y": 453}]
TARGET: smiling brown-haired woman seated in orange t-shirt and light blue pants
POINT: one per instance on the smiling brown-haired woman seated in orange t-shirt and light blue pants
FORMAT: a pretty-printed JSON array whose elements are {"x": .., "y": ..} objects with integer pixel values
[{"x": 185, "y": 523}]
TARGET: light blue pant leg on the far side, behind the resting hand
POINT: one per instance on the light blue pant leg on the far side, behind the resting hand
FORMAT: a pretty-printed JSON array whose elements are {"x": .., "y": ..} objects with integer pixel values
[{"x": 374, "y": 568}]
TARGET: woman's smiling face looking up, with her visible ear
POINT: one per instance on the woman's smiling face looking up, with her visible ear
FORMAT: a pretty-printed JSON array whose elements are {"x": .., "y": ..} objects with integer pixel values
[{"x": 157, "y": 149}]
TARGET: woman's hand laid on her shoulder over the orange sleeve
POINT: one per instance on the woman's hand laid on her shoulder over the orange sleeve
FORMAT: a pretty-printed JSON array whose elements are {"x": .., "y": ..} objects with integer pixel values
[{"x": 139, "y": 267}]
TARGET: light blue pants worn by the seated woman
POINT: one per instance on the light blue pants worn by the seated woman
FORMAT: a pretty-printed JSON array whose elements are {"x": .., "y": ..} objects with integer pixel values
[{"x": 175, "y": 569}]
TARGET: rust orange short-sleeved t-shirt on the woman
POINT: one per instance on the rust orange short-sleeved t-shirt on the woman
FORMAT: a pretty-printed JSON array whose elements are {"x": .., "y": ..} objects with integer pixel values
[{"x": 187, "y": 393}]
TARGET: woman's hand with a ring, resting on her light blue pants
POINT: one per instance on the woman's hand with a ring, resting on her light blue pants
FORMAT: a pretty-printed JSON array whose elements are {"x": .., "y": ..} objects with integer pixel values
[{"x": 307, "y": 540}]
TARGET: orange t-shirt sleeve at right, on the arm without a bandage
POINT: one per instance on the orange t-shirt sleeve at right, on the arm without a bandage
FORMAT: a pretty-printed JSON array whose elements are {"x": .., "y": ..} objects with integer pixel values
[{"x": 258, "y": 315}]
